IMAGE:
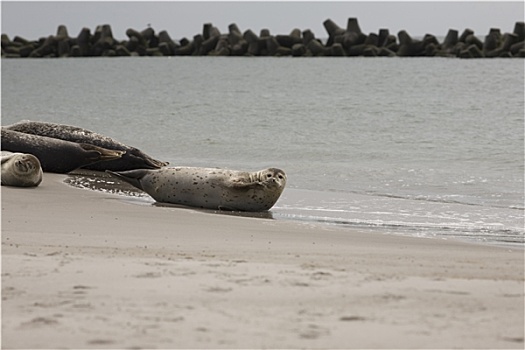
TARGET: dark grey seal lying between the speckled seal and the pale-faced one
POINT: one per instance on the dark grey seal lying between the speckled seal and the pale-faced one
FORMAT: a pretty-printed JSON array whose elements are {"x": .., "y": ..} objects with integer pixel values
[{"x": 56, "y": 156}]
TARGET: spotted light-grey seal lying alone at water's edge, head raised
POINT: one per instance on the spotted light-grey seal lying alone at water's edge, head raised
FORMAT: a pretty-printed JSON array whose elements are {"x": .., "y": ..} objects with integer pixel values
[{"x": 210, "y": 188}]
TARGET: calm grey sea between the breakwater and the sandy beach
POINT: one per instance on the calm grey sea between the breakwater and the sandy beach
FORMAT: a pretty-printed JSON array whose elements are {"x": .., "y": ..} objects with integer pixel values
[{"x": 413, "y": 146}]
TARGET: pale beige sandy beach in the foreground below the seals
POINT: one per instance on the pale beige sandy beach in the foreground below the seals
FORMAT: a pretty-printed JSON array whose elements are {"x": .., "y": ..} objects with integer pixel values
[{"x": 86, "y": 269}]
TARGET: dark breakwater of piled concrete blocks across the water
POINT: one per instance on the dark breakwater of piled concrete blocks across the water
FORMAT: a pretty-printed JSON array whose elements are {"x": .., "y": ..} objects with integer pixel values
[{"x": 349, "y": 41}]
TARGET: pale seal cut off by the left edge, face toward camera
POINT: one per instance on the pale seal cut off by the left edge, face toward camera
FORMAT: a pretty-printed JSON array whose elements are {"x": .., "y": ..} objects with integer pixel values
[{"x": 20, "y": 170}]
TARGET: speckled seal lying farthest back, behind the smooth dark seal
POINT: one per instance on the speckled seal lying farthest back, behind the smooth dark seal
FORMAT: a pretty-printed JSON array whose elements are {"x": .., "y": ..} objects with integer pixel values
[{"x": 133, "y": 158}]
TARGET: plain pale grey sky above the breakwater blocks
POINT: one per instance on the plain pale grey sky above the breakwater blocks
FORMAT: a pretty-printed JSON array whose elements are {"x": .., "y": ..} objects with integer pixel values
[{"x": 36, "y": 19}]
